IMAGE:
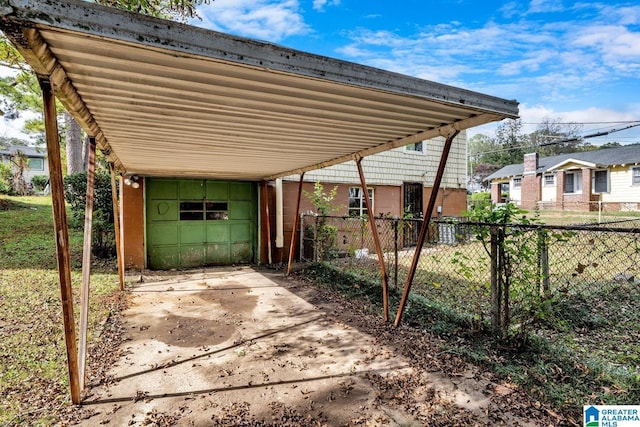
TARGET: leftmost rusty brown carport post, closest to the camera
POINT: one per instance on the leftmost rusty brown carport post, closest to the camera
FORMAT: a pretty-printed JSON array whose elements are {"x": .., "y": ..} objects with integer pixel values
[{"x": 61, "y": 231}]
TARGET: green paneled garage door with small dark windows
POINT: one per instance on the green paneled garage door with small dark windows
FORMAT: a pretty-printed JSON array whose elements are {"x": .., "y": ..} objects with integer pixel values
[{"x": 195, "y": 222}]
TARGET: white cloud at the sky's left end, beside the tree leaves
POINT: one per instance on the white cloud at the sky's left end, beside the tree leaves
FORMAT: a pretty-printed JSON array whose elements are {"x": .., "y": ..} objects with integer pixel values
[{"x": 269, "y": 20}]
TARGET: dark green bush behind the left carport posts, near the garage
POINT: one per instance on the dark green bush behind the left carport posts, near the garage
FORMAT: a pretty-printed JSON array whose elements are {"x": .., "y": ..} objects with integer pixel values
[{"x": 75, "y": 192}]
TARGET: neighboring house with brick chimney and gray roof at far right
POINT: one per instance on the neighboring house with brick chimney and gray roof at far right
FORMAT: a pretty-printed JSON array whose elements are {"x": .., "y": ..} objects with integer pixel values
[{"x": 575, "y": 181}]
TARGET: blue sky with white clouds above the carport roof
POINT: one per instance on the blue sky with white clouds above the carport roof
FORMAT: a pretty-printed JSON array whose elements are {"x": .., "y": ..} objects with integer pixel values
[{"x": 564, "y": 61}]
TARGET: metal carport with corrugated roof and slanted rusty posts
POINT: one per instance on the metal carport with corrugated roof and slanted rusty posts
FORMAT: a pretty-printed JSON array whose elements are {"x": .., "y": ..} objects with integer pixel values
[{"x": 163, "y": 99}]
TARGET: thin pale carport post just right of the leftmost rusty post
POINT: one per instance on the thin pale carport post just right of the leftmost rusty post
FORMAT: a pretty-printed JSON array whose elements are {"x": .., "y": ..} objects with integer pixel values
[{"x": 86, "y": 262}]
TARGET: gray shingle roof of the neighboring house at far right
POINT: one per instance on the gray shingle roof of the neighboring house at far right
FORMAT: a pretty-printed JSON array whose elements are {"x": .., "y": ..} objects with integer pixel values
[{"x": 628, "y": 154}]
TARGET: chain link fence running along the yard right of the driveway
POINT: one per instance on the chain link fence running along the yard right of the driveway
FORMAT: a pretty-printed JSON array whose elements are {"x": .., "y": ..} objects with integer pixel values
[{"x": 577, "y": 286}]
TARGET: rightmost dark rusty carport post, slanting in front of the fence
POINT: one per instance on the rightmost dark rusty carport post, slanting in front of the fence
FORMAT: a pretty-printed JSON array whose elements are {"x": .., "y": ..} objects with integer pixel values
[{"x": 425, "y": 225}]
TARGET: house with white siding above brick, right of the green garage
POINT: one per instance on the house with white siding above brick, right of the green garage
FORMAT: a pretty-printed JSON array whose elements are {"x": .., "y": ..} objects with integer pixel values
[{"x": 399, "y": 180}]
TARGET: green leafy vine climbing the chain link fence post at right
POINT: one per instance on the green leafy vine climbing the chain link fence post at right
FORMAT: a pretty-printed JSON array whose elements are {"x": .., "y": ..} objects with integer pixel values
[{"x": 519, "y": 280}]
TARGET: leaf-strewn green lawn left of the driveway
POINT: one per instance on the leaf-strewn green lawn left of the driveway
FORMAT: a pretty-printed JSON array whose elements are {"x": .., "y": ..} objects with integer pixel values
[{"x": 33, "y": 369}]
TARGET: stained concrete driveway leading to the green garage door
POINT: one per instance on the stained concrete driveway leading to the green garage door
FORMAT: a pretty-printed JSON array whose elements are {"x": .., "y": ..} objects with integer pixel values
[{"x": 221, "y": 346}]
